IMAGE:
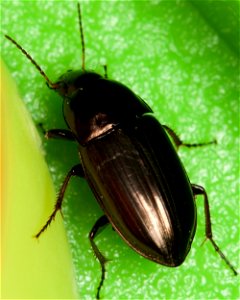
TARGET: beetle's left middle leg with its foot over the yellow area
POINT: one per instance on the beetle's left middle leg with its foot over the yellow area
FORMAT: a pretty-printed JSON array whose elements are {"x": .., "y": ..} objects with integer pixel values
[{"x": 75, "y": 171}]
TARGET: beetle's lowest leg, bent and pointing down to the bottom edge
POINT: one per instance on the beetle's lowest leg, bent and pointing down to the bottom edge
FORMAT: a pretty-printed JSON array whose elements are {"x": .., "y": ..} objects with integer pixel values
[{"x": 101, "y": 222}]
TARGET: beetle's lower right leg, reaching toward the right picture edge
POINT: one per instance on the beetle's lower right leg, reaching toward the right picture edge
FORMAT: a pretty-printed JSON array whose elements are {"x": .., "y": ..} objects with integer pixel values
[{"x": 199, "y": 190}]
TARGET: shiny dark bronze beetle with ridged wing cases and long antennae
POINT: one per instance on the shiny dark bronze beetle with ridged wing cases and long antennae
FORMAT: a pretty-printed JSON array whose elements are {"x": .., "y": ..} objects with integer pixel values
[{"x": 129, "y": 160}]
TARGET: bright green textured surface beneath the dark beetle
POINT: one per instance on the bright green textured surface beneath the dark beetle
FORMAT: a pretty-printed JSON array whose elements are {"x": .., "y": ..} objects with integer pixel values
[{"x": 182, "y": 57}]
